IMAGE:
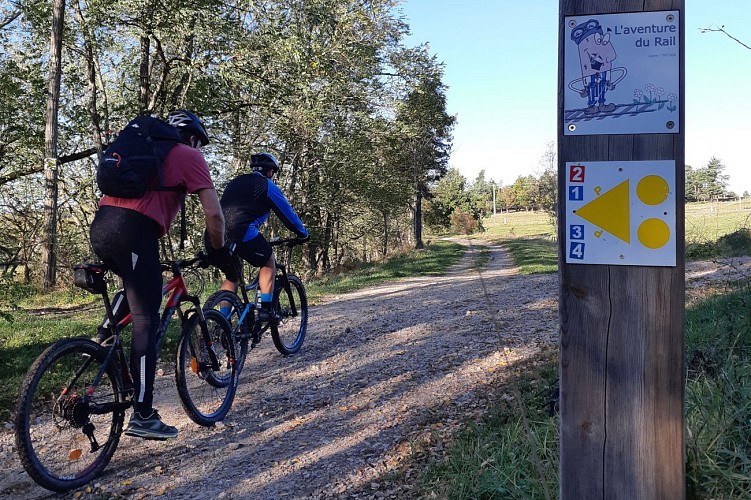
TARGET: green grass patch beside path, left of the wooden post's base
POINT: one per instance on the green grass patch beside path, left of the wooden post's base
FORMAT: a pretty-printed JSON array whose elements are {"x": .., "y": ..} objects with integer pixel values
[{"x": 496, "y": 457}]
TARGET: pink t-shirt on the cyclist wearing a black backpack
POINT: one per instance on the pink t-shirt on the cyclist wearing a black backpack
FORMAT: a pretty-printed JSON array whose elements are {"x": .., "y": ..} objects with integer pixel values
[{"x": 184, "y": 167}]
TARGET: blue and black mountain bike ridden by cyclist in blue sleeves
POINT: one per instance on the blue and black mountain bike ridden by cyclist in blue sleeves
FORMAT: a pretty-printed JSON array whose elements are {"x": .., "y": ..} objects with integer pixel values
[{"x": 290, "y": 302}]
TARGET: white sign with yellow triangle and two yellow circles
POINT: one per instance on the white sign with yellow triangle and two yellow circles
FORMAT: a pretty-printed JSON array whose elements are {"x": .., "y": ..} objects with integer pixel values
[{"x": 621, "y": 213}]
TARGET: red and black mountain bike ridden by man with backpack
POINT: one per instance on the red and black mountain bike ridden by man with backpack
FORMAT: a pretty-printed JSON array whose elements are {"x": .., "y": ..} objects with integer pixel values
[{"x": 72, "y": 402}]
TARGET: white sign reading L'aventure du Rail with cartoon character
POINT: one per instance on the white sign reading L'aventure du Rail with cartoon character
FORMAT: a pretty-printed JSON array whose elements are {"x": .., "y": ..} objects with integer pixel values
[{"x": 621, "y": 73}]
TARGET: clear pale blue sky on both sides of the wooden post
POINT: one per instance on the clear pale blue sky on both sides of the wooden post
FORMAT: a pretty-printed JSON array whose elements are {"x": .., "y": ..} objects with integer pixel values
[{"x": 501, "y": 67}]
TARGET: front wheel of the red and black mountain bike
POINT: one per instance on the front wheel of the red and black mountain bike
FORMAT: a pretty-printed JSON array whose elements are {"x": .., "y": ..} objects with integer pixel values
[{"x": 206, "y": 394}]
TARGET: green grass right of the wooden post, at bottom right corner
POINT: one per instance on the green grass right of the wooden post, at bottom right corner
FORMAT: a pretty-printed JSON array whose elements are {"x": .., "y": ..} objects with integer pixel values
[{"x": 718, "y": 396}]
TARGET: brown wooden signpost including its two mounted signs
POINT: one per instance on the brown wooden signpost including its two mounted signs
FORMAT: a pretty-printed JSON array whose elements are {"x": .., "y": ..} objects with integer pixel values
[{"x": 621, "y": 242}]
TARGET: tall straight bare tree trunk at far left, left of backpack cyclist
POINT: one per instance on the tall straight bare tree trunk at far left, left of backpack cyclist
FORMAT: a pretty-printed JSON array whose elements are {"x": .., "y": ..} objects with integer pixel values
[{"x": 49, "y": 247}]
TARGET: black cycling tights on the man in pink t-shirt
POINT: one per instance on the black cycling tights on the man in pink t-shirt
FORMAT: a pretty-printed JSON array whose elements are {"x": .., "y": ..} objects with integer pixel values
[{"x": 127, "y": 241}]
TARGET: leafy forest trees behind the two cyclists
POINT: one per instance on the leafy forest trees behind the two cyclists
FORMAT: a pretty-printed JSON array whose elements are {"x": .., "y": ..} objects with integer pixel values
[{"x": 357, "y": 117}]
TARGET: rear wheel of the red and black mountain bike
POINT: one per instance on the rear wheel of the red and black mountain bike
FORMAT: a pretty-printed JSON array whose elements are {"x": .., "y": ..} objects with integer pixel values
[{"x": 62, "y": 443}]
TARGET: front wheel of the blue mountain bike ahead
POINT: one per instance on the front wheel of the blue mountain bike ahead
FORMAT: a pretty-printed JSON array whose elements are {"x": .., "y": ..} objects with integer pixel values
[{"x": 292, "y": 306}]
